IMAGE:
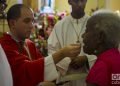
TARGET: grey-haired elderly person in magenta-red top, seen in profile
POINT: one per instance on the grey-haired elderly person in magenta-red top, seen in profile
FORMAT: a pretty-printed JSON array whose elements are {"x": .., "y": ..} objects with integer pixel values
[{"x": 102, "y": 38}]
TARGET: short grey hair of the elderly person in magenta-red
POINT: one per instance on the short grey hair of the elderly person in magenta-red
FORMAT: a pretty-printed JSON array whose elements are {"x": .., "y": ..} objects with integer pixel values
[{"x": 107, "y": 22}]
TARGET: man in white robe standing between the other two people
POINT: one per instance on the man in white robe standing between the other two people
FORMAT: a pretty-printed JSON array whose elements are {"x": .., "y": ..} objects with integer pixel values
[{"x": 69, "y": 31}]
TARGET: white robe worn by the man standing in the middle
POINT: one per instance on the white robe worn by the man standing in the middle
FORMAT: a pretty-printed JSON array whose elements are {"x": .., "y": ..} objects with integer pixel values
[{"x": 63, "y": 34}]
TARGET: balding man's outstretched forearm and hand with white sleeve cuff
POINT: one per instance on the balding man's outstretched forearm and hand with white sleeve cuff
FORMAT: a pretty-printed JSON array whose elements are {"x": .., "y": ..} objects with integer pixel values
[{"x": 71, "y": 51}]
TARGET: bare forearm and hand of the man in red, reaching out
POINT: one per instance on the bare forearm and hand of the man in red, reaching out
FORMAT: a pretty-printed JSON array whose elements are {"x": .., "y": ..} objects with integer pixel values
[{"x": 71, "y": 51}]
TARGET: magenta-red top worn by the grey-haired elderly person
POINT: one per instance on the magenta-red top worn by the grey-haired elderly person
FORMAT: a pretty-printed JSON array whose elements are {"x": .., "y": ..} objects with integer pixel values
[{"x": 108, "y": 63}]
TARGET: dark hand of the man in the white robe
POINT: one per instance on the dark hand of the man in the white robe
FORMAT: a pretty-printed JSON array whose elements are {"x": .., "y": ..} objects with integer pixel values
[{"x": 78, "y": 62}]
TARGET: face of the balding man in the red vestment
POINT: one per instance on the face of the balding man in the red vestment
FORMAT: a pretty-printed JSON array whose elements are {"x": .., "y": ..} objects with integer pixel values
[{"x": 24, "y": 24}]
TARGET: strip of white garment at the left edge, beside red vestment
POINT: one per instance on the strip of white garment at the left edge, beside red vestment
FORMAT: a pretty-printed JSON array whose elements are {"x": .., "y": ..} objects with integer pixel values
[{"x": 5, "y": 71}]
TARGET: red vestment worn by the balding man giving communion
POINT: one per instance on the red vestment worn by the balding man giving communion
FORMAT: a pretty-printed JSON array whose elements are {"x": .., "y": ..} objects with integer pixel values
[{"x": 25, "y": 72}]
